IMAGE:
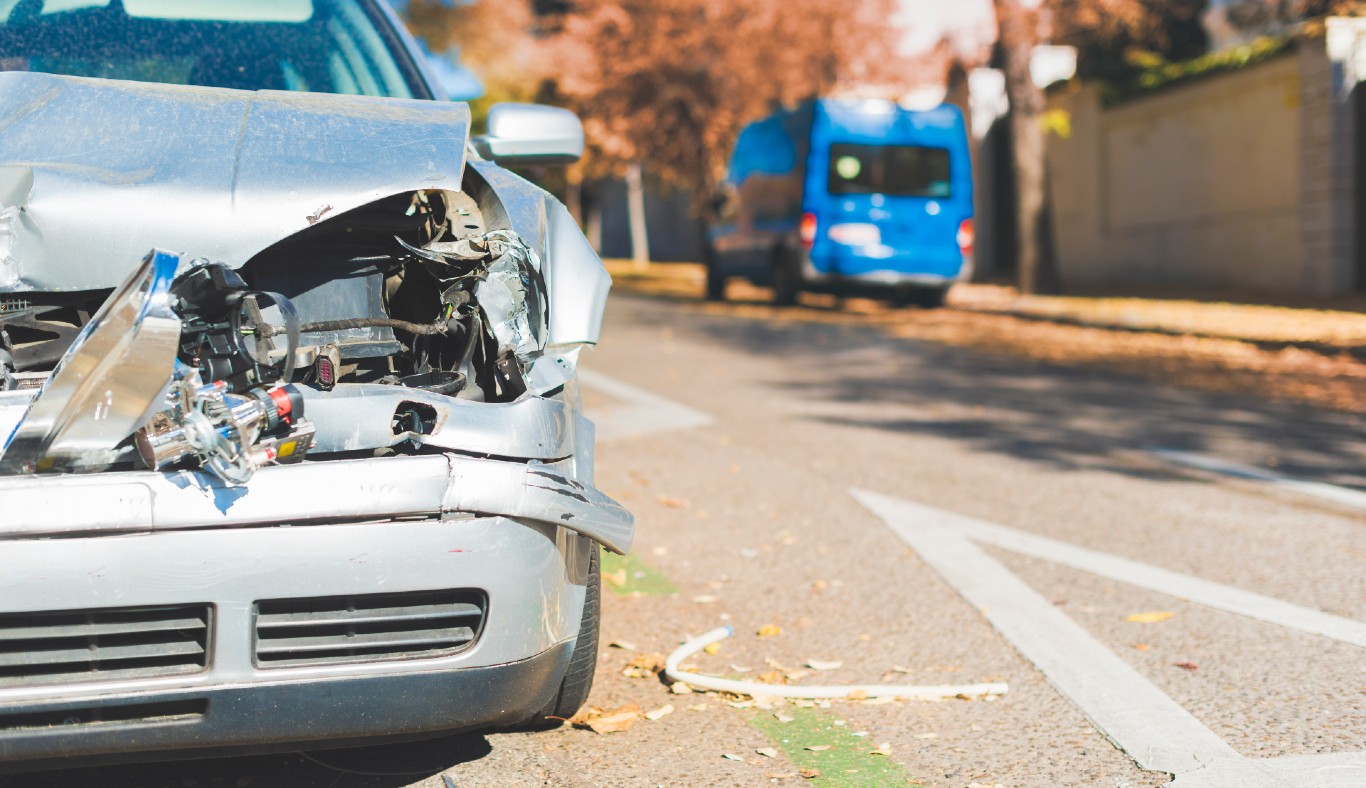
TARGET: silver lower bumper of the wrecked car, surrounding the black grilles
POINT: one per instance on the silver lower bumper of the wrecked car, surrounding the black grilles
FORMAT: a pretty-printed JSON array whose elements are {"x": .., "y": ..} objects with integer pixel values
[{"x": 533, "y": 577}]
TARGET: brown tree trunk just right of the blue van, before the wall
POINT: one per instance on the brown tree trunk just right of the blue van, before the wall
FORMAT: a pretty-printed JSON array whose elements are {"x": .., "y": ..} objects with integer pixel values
[{"x": 1018, "y": 38}]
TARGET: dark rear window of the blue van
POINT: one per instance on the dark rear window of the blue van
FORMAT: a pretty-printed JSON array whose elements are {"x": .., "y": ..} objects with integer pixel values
[{"x": 891, "y": 170}]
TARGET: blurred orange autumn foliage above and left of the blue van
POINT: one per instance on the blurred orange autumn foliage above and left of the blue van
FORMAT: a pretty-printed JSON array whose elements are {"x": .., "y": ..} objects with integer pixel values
[{"x": 671, "y": 83}]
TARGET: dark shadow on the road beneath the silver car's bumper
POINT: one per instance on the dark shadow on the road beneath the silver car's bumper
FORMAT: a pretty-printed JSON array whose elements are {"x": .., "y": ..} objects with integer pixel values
[{"x": 383, "y": 767}]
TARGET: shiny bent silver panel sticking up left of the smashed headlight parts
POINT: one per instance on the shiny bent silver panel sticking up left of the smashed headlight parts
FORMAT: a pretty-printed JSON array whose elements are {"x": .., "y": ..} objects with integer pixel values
[{"x": 110, "y": 383}]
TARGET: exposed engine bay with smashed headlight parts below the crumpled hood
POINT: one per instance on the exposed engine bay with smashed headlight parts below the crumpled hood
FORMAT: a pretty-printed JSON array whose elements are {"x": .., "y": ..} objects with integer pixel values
[{"x": 400, "y": 311}]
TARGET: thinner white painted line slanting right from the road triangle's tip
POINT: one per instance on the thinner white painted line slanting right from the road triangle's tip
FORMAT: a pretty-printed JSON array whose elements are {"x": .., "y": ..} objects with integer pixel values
[{"x": 1163, "y": 581}]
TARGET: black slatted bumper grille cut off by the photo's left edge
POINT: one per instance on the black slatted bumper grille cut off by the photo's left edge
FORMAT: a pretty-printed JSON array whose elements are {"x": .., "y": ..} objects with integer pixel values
[{"x": 103, "y": 645}]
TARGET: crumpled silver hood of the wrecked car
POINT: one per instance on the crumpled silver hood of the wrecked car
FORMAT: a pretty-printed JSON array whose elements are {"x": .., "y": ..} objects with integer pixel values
[{"x": 217, "y": 174}]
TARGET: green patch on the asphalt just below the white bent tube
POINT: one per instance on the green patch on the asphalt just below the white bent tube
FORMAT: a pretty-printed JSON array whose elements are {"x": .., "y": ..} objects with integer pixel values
[{"x": 848, "y": 761}]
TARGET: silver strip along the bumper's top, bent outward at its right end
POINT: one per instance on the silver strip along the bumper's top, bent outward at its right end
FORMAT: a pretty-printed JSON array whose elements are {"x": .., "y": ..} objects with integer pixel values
[{"x": 335, "y": 492}]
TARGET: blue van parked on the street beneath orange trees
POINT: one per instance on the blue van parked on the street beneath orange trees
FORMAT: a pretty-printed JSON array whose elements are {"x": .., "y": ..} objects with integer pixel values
[{"x": 848, "y": 197}]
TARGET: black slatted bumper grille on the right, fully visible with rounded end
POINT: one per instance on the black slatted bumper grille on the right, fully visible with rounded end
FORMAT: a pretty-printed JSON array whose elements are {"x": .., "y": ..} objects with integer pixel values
[{"x": 363, "y": 629}]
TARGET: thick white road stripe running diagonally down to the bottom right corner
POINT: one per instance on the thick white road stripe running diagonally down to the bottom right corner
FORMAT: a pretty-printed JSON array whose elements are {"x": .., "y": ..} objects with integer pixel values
[{"x": 1129, "y": 709}]
